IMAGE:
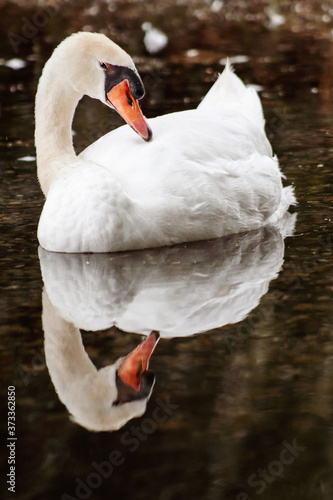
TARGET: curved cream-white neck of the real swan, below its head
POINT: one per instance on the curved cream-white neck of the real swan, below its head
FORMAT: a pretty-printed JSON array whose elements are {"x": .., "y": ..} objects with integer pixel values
[{"x": 54, "y": 110}]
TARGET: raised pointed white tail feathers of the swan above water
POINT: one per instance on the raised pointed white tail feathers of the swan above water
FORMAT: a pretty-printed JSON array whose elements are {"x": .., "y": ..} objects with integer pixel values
[{"x": 229, "y": 92}]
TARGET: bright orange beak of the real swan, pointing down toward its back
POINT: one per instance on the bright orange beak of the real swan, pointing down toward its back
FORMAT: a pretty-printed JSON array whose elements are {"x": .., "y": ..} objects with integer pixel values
[{"x": 123, "y": 102}]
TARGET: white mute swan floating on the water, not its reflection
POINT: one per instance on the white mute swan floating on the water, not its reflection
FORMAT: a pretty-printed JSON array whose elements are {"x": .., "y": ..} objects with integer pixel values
[{"x": 207, "y": 173}]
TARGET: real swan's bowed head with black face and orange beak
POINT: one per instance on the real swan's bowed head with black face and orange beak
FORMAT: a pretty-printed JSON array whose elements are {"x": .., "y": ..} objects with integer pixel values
[{"x": 93, "y": 65}]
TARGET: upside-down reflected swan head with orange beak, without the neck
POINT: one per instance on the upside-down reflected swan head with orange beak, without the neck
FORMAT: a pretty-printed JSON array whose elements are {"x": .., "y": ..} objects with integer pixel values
[{"x": 117, "y": 393}]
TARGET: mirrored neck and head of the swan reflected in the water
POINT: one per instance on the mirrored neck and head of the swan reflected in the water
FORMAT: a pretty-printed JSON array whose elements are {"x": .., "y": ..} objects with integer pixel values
[{"x": 99, "y": 400}]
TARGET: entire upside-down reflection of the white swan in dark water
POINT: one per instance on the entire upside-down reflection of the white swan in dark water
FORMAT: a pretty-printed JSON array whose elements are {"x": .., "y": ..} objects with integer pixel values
[{"x": 176, "y": 291}]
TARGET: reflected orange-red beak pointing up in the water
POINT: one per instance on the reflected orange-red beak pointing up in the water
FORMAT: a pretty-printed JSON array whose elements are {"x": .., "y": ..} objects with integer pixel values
[{"x": 136, "y": 363}]
